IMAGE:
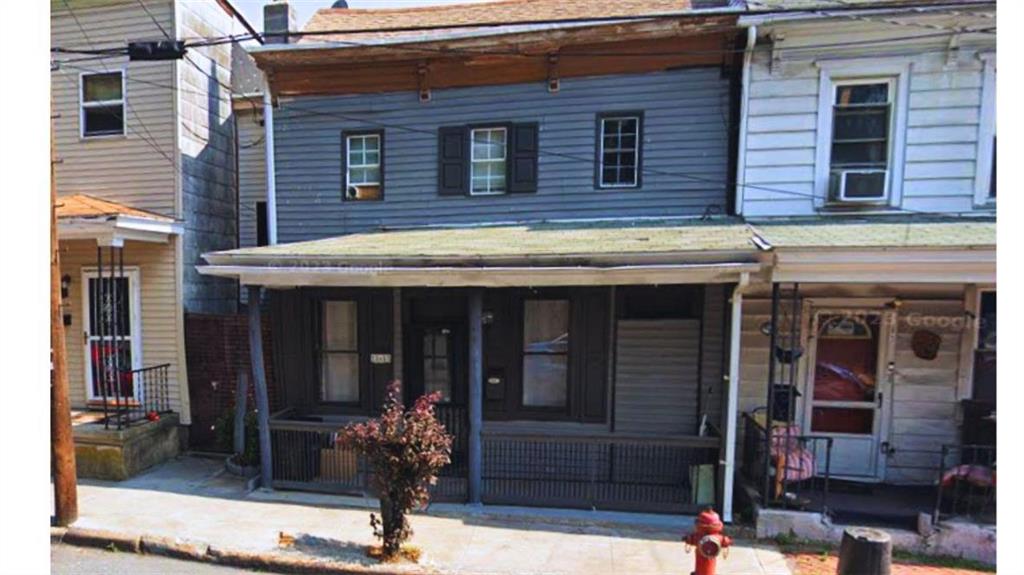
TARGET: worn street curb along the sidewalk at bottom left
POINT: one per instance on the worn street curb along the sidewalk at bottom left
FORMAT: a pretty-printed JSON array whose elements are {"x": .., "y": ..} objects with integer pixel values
[{"x": 203, "y": 553}]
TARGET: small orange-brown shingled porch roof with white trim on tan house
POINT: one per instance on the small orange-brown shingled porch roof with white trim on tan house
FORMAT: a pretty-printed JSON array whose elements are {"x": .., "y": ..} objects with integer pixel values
[{"x": 110, "y": 224}]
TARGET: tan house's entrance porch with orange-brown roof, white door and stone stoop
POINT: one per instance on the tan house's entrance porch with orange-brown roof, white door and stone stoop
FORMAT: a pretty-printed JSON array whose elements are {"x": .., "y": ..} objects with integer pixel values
[{"x": 121, "y": 328}]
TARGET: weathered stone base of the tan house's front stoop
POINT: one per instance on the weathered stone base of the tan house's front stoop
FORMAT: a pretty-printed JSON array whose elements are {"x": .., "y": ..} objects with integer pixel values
[{"x": 113, "y": 455}]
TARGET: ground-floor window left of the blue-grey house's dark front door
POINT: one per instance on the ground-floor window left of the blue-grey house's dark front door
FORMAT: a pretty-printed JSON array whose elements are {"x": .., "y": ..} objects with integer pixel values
[{"x": 339, "y": 352}]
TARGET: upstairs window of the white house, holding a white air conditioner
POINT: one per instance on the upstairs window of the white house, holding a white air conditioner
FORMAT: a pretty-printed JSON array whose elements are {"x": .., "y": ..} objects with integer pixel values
[{"x": 861, "y": 142}]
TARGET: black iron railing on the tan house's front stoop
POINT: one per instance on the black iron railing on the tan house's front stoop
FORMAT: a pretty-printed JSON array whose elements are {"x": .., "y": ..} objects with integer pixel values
[{"x": 131, "y": 397}]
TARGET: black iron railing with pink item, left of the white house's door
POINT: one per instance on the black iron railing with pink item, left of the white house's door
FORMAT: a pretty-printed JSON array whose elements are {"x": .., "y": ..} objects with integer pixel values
[{"x": 795, "y": 474}]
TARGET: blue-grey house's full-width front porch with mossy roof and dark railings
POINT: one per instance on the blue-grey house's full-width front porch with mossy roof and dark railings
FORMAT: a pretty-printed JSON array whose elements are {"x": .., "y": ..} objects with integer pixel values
[{"x": 581, "y": 366}]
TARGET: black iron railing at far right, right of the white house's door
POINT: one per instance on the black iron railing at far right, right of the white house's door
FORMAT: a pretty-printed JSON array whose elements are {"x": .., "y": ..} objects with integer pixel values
[{"x": 967, "y": 483}]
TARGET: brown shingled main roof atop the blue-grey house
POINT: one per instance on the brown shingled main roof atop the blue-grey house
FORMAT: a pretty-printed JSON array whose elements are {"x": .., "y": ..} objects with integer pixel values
[{"x": 395, "y": 23}]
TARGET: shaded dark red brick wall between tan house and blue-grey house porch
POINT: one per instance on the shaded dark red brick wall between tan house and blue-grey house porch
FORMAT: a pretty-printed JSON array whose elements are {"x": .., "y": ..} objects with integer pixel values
[{"x": 218, "y": 351}]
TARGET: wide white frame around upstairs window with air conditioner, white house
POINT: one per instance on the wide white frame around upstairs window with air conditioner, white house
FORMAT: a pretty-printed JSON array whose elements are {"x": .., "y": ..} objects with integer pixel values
[{"x": 835, "y": 73}]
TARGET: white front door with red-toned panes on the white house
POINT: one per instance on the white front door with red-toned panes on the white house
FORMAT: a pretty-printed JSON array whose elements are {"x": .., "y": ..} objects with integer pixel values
[{"x": 848, "y": 387}]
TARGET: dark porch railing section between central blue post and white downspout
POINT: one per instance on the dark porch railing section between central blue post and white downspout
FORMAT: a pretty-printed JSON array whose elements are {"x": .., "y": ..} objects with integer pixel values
[{"x": 611, "y": 471}]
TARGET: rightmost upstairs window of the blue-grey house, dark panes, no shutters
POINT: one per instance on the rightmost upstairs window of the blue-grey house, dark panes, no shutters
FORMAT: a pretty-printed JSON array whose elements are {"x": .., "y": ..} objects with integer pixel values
[{"x": 619, "y": 151}]
